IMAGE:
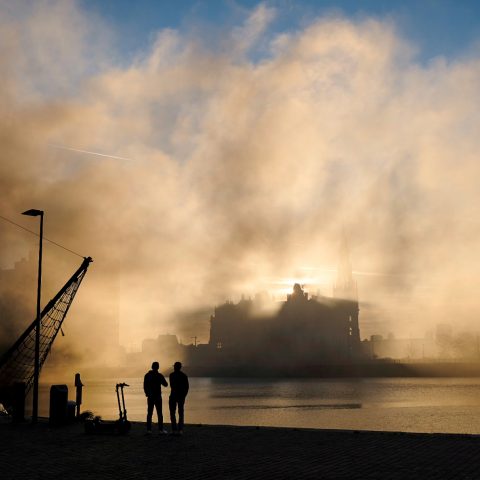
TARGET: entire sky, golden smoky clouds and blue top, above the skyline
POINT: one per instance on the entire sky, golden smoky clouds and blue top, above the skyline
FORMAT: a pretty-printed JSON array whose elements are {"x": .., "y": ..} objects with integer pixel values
[{"x": 200, "y": 150}]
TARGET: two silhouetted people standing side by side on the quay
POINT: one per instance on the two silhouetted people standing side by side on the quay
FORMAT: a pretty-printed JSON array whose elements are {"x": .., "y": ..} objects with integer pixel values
[{"x": 152, "y": 386}]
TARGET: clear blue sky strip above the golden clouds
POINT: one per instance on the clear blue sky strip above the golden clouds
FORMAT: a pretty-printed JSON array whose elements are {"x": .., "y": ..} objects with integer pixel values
[{"x": 436, "y": 27}]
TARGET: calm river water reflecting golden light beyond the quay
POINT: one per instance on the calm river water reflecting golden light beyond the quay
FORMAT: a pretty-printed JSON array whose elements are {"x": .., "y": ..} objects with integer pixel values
[{"x": 394, "y": 404}]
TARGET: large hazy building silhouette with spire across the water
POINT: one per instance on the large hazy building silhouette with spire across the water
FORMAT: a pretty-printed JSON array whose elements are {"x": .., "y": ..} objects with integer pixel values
[{"x": 303, "y": 331}]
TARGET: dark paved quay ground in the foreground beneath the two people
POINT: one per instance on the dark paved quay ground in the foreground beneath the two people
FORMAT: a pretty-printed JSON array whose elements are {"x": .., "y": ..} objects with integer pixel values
[{"x": 210, "y": 452}]
